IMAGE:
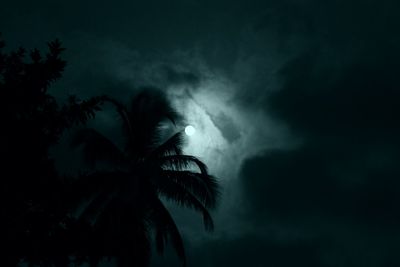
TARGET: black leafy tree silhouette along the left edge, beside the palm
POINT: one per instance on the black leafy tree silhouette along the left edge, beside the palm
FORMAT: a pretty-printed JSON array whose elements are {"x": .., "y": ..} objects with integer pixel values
[{"x": 34, "y": 199}]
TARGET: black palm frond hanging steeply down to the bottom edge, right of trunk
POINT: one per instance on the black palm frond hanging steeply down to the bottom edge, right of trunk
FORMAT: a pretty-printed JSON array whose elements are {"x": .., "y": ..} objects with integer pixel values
[{"x": 166, "y": 228}]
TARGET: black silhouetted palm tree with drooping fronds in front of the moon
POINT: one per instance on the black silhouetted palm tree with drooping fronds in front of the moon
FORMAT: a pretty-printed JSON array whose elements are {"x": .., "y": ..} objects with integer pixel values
[{"x": 124, "y": 206}]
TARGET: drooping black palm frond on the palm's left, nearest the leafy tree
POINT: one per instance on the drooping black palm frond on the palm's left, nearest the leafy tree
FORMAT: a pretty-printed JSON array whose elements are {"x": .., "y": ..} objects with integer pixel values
[{"x": 97, "y": 147}]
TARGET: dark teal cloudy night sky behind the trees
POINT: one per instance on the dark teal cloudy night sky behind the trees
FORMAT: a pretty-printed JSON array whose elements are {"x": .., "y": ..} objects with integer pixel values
[{"x": 295, "y": 105}]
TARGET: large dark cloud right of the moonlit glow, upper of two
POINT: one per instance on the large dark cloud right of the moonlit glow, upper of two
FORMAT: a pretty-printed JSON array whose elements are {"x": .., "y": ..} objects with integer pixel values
[{"x": 329, "y": 99}]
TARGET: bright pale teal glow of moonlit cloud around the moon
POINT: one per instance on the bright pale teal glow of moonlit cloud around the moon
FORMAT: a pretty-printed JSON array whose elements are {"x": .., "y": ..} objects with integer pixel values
[{"x": 208, "y": 143}]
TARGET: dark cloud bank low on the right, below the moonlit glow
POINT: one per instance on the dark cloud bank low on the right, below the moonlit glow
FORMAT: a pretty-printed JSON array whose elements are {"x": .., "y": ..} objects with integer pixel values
[{"x": 314, "y": 181}]
